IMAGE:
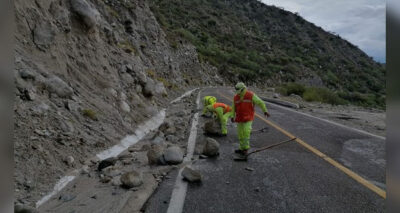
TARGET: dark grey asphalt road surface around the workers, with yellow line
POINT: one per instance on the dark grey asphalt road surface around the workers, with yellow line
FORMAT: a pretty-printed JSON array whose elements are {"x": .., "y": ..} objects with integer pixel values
[{"x": 348, "y": 177}]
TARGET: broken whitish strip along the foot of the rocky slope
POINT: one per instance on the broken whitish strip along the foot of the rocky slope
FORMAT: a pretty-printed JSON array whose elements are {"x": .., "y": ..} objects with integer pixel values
[{"x": 141, "y": 131}]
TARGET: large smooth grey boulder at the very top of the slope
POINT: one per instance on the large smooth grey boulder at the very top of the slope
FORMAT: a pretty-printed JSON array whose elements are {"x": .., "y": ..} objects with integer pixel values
[{"x": 86, "y": 13}]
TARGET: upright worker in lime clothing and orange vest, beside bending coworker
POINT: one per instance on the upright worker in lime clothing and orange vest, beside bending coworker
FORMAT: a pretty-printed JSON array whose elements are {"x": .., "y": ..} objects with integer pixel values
[{"x": 243, "y": 111}]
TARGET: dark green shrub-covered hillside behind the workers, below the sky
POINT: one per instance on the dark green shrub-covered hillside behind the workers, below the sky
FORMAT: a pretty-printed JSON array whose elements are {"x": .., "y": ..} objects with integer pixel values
[{"x": 265, "y": 45}]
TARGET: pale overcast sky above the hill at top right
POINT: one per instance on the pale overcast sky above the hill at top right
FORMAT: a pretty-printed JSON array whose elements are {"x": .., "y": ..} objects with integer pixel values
[{"x": 362, "y": 22}]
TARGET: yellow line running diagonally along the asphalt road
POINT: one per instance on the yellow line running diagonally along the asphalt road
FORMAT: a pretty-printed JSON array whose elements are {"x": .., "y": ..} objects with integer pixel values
[{"x": 336, "y": 164}]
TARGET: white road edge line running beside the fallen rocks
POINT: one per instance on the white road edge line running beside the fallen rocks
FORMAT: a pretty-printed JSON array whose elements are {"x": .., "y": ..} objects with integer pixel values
[{"x": 180, "y": 188}]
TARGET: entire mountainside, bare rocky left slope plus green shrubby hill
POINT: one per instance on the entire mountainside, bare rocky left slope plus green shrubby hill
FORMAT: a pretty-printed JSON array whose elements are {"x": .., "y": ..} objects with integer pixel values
[{"x": 88, "y": 72}]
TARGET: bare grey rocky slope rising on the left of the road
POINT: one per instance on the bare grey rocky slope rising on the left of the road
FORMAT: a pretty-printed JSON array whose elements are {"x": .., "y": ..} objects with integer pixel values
[{"x": 87, "y": 72}]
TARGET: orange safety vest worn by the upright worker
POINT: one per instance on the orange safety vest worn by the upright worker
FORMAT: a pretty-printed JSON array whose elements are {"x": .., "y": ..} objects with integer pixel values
[{"x": 244, "y": 109}]
